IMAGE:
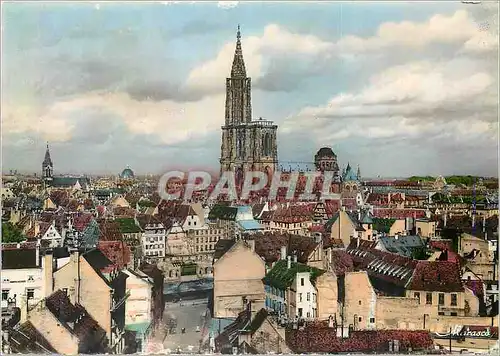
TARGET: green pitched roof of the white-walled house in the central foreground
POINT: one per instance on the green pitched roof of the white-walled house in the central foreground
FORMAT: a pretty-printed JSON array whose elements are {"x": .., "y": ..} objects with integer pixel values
[{"x": 282, "y": 277}]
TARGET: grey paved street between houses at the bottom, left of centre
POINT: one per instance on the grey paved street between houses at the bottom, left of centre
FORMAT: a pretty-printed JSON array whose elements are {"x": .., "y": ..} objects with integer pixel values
[{"x": 189, "y": 315}]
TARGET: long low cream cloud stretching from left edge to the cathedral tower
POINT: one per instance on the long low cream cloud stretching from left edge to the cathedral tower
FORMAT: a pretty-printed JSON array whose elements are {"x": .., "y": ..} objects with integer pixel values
[{"x": 172, "y": 122}]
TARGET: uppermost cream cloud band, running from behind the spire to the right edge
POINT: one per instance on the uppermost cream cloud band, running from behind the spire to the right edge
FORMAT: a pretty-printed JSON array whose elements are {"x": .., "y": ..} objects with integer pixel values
[{"x": 391, "y": 39}]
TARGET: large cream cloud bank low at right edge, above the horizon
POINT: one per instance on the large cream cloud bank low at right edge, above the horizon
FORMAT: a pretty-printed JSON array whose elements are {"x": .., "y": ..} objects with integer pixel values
[{"x": 411, "y": 101}]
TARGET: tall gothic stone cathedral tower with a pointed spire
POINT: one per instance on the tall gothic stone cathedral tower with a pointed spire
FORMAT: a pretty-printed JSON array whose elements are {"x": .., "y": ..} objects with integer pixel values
[{"x": 246, "y": 145}]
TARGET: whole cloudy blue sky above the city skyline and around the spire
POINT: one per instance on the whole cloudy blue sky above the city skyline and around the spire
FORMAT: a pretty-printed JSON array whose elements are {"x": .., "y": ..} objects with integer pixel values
[{"x": 398, "y": 88}]
